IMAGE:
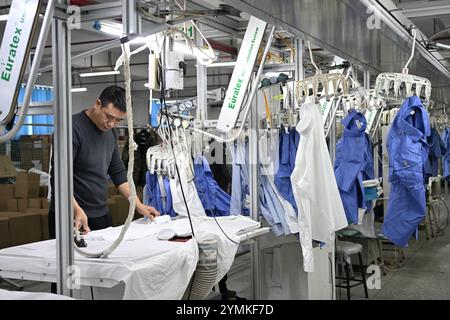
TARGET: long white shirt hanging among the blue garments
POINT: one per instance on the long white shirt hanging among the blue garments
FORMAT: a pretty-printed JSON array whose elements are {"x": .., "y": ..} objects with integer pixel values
[{"x": 321, "y": 212}]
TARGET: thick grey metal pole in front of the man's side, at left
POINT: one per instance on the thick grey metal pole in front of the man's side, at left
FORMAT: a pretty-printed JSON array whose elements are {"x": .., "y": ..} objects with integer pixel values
[{"x": 63, "y": 156}]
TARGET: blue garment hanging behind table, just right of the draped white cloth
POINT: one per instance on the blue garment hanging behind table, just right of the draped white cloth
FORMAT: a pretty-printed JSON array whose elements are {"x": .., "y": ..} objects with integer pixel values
[{"x": 215, "y": 201}]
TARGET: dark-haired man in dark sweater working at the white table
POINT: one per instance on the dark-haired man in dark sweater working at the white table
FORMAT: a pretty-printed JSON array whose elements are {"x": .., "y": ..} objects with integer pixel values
[{"x": 95, "y": 157}]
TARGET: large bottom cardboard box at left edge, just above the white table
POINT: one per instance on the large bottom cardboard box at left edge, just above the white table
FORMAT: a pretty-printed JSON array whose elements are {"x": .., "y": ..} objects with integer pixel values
[{"x": 24, "y": 227}]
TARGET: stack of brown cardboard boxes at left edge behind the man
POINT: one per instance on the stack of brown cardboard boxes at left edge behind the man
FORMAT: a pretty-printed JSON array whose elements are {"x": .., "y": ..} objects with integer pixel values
[{"x": 23, "y": 214}]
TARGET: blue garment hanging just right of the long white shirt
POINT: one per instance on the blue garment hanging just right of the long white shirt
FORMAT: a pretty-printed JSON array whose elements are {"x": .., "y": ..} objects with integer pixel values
[{"x": 353, "y": 165}]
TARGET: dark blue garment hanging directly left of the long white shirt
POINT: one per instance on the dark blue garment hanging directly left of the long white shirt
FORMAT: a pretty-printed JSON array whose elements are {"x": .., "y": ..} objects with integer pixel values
[{"x": 289, "y": 142}]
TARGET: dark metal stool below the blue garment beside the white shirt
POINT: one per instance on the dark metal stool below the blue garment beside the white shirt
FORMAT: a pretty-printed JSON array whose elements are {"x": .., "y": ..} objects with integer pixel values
[{"x": 344, "y": 250}]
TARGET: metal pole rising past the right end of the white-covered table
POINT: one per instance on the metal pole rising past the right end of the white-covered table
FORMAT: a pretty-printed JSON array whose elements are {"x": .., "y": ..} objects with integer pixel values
[{"x": 253, "y": 177}]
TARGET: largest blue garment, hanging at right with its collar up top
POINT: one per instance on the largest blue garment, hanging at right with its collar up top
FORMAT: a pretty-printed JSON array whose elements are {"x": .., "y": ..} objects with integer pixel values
[{"x": 408, "y": 151}]
